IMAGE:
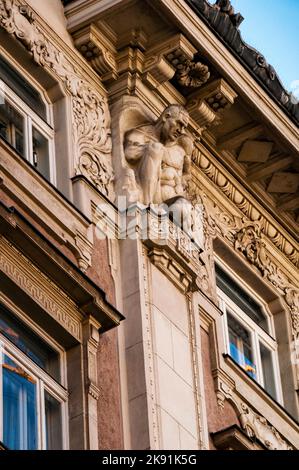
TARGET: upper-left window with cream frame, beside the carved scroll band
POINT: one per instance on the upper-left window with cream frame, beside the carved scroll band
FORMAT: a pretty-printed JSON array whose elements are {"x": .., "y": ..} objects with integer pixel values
[{"x": 24, "y": 121}]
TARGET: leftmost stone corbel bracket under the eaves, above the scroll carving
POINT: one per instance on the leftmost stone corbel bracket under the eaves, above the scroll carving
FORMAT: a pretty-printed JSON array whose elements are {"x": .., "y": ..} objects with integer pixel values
[{"x": 98, "y": 50}]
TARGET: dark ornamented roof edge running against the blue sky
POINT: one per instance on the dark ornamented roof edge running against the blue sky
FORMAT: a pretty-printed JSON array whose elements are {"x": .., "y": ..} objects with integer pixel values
[{"x": 221, "y": 18}]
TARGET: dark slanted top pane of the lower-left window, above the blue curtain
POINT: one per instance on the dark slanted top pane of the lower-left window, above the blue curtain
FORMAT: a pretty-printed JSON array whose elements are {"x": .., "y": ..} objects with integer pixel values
[{"x": 33, "y": 346}]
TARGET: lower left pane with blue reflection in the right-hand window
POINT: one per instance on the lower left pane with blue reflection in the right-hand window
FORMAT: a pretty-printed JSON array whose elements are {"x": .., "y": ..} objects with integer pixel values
[{"x": 240, "y": 345}]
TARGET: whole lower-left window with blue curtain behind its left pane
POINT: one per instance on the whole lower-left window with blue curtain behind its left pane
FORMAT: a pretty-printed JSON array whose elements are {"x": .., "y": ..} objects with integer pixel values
[{"x": 32, "y": 400}]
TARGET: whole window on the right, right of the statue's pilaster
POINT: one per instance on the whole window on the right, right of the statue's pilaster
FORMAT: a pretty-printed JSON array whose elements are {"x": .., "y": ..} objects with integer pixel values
[{"x": 248, "y": 333}]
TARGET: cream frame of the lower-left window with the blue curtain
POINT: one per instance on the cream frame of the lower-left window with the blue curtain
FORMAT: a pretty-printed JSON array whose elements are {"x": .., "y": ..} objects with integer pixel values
[{"x": 43, "y": 382}]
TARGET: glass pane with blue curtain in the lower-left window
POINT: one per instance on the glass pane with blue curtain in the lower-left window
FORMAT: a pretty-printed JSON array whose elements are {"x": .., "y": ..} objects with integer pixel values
[{"x": 19, "y": 407}]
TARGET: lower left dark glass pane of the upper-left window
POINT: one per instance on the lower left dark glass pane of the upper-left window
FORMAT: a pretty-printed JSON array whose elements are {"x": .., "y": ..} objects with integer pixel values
[{"x": 12, "y": 126}]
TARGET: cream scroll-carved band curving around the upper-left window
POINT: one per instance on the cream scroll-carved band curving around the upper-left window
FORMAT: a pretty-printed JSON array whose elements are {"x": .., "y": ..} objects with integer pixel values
[{"x": 91, "y": 125}]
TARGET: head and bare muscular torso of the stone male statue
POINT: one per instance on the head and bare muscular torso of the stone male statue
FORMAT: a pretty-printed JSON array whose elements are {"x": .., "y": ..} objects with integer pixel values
[{"x": 160, "y": 157}]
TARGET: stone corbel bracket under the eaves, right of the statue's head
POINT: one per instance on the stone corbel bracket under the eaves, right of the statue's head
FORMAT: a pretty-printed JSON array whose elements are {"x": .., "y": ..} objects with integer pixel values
[{"x": 207, "y": 105}]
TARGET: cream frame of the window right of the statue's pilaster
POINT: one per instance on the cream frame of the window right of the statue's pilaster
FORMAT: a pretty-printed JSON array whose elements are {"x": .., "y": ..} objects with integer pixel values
[{"x": 257, "y": 333}]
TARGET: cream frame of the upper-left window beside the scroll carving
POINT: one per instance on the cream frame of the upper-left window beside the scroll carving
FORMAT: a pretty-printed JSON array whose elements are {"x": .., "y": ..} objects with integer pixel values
[{"x": 32, "y": 119}]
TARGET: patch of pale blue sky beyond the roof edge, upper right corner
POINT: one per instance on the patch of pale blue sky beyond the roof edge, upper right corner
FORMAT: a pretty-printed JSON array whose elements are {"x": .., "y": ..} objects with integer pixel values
[{"x": 272, "y": 27}]
